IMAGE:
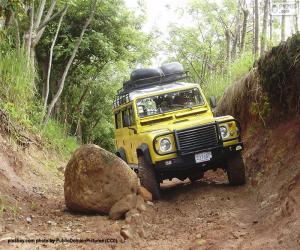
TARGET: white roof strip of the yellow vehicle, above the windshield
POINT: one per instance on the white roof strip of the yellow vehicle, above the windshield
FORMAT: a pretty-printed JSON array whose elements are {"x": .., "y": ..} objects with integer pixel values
[{"x": 160, "y": 88}]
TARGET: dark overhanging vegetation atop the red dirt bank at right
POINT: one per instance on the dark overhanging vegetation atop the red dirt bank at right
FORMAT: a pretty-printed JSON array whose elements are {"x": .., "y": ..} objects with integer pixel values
[{"x": 279, "y": 75}]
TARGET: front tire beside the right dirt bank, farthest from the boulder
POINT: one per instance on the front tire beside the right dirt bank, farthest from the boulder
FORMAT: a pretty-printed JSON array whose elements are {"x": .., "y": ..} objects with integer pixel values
[{"x": 236, "y": 170}]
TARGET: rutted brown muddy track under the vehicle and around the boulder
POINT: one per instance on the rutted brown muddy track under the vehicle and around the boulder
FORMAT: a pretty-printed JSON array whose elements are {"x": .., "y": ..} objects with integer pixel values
[{"x": 207, "y": 214}]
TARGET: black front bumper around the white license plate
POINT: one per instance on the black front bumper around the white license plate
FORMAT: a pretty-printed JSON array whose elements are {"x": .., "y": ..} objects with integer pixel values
[{"x": 187, "y": 162}]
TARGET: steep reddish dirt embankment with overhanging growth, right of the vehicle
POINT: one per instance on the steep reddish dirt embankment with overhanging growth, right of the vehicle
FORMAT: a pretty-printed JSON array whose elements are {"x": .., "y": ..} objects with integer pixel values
[{"x": 267, "y": 102}]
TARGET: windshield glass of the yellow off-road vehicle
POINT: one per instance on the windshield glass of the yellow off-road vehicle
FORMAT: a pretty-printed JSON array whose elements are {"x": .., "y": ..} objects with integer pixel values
[{"x": 163, "y": 103}]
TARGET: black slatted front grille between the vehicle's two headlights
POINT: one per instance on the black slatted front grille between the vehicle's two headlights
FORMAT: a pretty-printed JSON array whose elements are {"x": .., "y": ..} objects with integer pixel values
[{"x": 197, "y": 138}]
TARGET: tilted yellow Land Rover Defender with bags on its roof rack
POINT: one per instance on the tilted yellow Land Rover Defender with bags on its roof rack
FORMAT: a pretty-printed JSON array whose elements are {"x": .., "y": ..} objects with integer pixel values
[{"x": 166, "y": 129}]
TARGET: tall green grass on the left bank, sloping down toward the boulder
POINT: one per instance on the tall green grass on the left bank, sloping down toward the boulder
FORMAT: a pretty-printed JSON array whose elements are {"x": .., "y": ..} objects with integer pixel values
[{"x": 19, "y": 100}]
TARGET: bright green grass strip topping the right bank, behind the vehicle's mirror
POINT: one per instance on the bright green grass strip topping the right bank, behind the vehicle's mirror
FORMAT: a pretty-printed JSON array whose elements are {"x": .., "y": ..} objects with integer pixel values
[{"x": 216, "y": 85}]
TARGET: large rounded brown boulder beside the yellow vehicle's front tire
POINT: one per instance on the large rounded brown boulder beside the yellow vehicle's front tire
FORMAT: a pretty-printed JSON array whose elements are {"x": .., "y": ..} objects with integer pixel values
[{"x": 96, "y": 179}]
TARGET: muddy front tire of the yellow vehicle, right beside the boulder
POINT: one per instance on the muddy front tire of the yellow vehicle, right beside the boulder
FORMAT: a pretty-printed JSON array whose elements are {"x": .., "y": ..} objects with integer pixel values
[{"x": 147, "y": 177}]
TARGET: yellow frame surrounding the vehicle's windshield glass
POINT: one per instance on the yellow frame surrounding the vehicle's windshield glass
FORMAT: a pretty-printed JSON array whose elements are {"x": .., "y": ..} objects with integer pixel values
[{"x": 203, "y": 103}]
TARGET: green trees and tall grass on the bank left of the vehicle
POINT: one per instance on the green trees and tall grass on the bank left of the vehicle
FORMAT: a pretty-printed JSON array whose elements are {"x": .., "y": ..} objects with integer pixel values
[{"x": 111, "y": 45}]
